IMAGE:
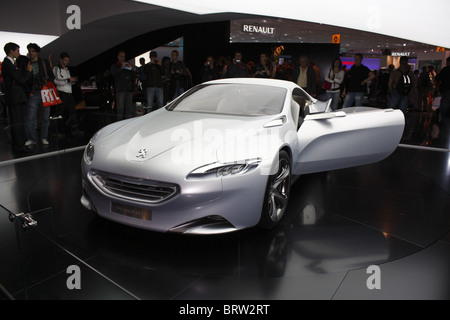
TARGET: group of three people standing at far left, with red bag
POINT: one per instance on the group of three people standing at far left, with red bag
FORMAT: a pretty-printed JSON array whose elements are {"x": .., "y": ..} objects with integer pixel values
[{"x": 23, "y": 79}]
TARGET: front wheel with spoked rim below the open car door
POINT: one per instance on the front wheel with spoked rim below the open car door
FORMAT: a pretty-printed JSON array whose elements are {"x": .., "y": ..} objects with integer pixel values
[{"x": 277, "y": 193}]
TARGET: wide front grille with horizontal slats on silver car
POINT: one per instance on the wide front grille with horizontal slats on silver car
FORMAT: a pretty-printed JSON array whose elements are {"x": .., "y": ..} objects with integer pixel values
[{"x": 130, "y": 188}]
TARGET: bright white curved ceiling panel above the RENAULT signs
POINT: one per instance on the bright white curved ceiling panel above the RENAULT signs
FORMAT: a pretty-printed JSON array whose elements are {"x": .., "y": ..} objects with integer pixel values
[{"x": 416, "y": 20}]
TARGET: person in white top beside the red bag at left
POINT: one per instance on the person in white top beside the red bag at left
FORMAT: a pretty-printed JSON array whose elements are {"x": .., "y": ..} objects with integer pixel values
[{"x": 64, "y": 82}]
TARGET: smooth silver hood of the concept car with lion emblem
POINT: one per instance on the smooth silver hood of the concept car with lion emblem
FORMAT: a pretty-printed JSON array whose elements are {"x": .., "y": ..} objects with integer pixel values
[{"x": 189, "y": 138}]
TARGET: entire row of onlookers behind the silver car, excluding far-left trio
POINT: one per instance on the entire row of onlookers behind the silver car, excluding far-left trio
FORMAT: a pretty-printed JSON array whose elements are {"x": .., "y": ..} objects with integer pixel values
[{"x": 396, "y": 88}]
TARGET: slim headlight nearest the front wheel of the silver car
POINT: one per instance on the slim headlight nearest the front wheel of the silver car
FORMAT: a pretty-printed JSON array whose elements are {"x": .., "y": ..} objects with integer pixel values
[{"x": 224, "y": 169}]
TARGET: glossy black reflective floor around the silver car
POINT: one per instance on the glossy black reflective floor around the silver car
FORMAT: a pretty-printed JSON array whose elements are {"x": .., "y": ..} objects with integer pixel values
[{"x": 395, "y": 214}]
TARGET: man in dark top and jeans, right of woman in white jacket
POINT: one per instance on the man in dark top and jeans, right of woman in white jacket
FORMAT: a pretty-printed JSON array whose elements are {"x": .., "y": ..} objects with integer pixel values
[{"x": 355, "y": 83}]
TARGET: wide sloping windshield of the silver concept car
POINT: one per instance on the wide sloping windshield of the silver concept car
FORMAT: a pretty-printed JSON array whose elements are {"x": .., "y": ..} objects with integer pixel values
[{"x": 232, "y": 99}]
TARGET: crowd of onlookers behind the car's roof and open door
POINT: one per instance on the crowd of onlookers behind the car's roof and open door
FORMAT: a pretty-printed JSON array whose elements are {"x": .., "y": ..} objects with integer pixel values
[{"x": 398, "y": 88}]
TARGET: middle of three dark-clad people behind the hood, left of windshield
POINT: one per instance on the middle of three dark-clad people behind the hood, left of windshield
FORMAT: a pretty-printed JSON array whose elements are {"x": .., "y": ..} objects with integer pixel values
[{"x": 154, "y": 74}]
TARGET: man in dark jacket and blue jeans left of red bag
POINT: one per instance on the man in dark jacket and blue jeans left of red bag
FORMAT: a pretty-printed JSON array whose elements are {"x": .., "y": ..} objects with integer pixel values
[{"x": 41, "y": 74}]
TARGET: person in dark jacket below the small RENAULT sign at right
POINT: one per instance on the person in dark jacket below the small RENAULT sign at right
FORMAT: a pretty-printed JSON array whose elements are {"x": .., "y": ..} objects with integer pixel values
[{"x": 400, "y": 85}]
